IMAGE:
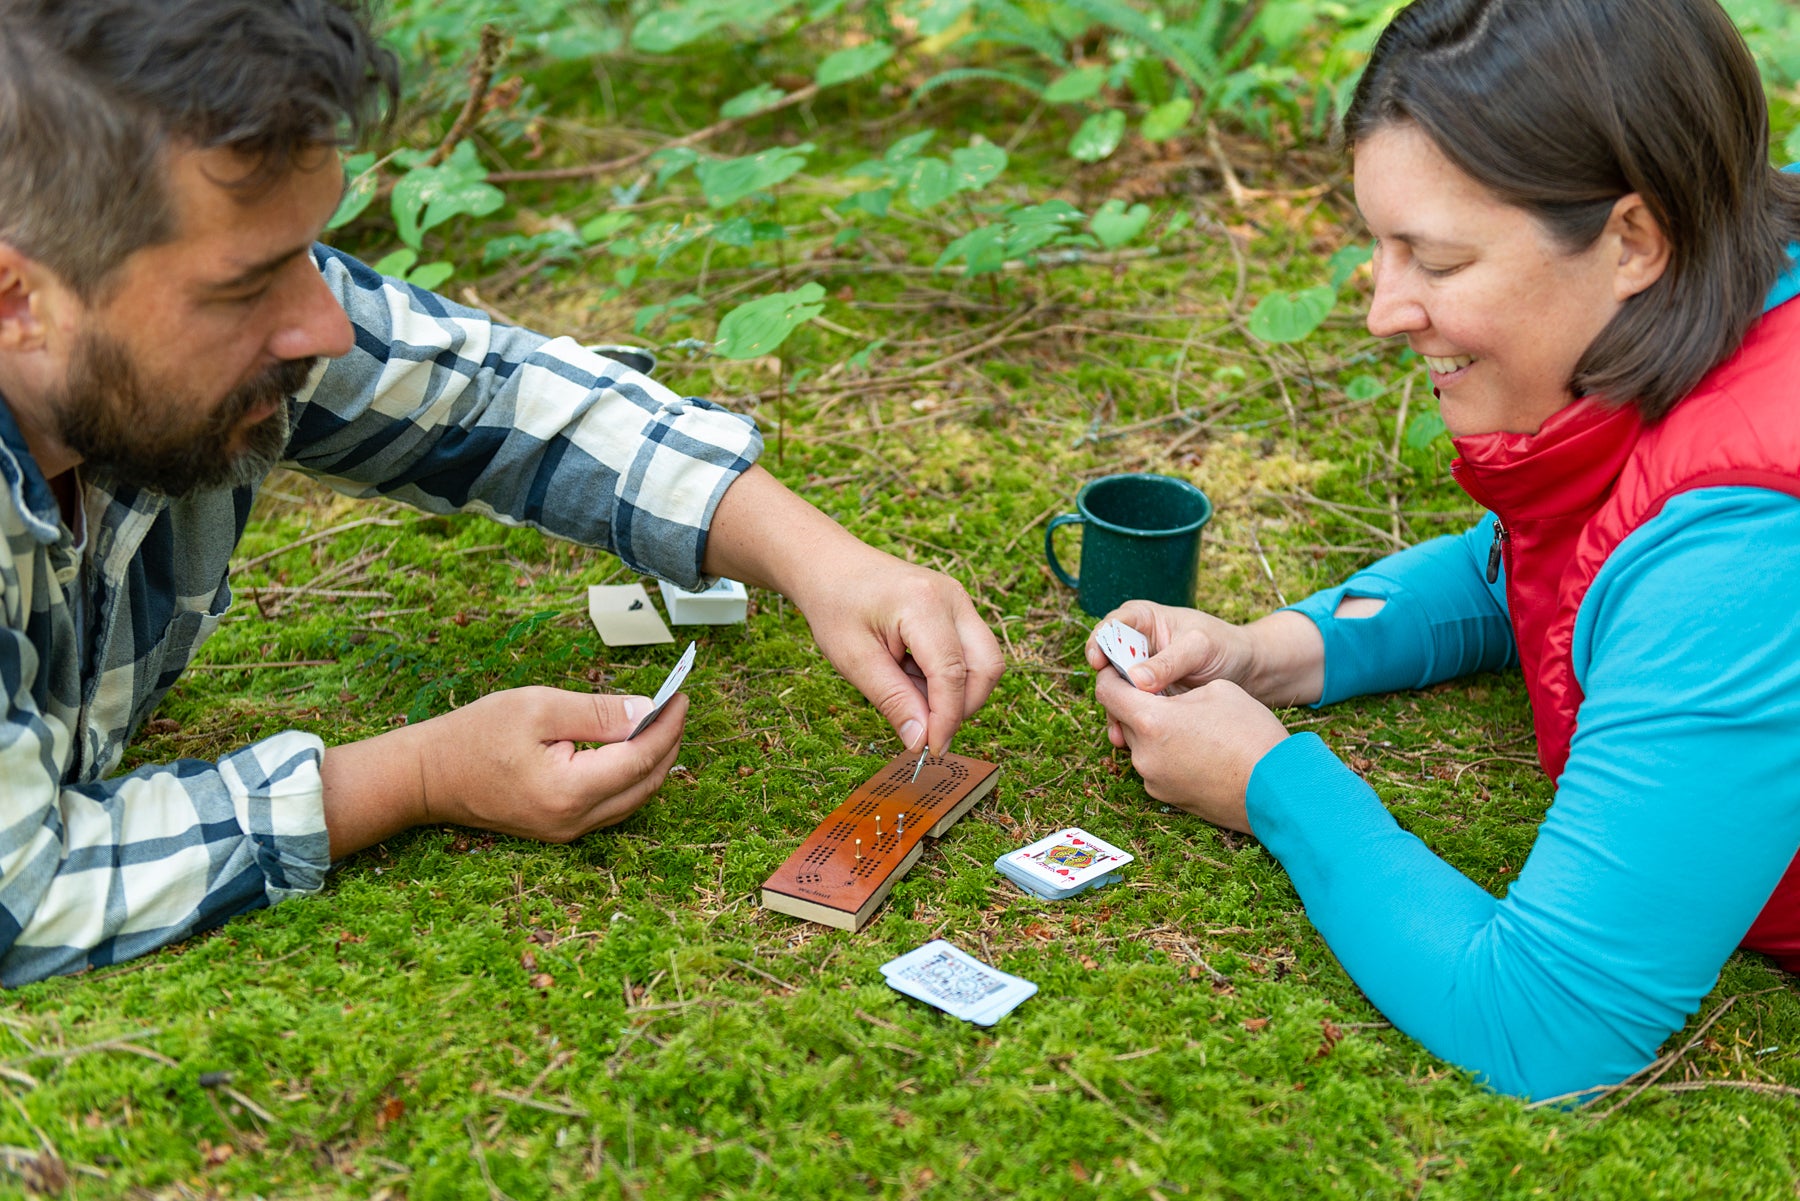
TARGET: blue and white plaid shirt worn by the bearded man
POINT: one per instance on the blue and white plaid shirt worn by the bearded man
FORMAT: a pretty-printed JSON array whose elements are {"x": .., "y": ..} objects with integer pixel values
[{"x": 436, "y": 406}]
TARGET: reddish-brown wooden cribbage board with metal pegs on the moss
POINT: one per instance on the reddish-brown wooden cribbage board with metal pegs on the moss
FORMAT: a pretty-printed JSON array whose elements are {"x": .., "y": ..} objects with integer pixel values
[{"x": 827, "y": 881}]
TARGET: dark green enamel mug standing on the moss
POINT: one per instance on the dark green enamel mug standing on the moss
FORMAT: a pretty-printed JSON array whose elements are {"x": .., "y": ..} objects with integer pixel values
[{"x": 1140, "y": 541}]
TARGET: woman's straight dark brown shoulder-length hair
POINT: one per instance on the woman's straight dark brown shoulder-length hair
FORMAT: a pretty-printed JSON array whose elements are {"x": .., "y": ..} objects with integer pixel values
[{"x": 1561, "y": 107}]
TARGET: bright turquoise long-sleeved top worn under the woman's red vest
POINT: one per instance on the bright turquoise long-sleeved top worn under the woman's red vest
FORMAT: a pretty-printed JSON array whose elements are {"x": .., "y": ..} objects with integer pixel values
[{"x": 1673, "y": 822}]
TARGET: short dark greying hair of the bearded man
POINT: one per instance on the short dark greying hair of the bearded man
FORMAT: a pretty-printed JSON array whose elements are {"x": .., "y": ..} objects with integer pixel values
[{"x": 96, "y": 93}]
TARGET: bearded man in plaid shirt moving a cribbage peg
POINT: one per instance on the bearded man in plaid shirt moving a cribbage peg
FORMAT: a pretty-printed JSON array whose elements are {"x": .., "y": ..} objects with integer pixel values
[{"x": 170, "y": 332}]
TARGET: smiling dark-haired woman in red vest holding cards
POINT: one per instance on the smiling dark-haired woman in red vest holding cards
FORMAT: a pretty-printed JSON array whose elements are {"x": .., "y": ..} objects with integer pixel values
[{"x": 1579, "y": 231}]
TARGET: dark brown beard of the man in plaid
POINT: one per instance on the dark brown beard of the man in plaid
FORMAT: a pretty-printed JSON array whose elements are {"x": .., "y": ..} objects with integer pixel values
[{"x": 121, "y": 424}]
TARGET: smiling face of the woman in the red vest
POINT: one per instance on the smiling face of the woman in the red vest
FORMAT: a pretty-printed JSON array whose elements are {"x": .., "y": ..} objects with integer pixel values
[{"x": 1498, "y": 311}]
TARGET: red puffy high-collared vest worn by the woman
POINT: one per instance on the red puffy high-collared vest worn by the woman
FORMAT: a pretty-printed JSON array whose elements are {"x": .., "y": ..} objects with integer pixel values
[{"x": 1572, "y": 492}]
